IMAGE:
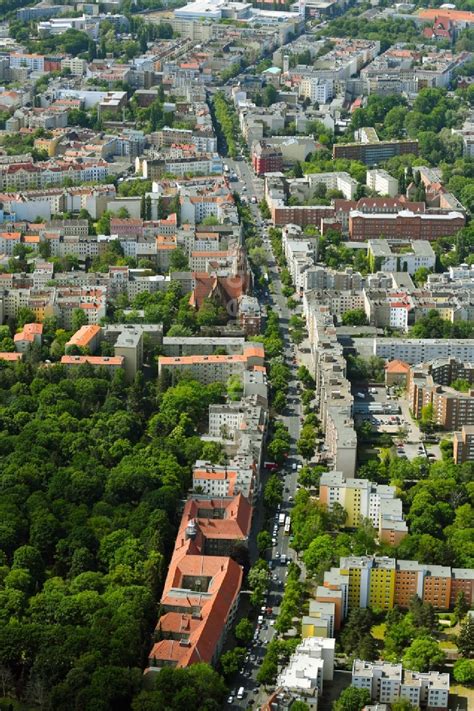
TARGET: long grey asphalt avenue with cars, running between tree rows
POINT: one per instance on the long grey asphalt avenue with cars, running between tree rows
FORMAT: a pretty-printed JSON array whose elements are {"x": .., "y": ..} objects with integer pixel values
[{"x": 246, "y": 678}]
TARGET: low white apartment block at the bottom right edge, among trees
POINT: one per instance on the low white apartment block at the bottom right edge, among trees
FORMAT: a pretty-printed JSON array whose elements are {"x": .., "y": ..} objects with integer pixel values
[{"x": 387, "y": 682}]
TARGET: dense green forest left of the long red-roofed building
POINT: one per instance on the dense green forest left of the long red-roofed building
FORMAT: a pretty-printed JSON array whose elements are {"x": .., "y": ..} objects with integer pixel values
[{"x": 91, "y": 474}]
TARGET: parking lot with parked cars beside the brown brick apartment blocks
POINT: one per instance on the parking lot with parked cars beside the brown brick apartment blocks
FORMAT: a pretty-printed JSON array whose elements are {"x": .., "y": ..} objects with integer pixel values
[{"x": 396, "y": 419}]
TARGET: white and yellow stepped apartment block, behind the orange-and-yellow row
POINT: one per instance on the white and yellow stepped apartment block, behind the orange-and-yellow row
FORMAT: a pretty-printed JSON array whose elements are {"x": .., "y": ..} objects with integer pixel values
[{"x": 362, "y": 499}]
